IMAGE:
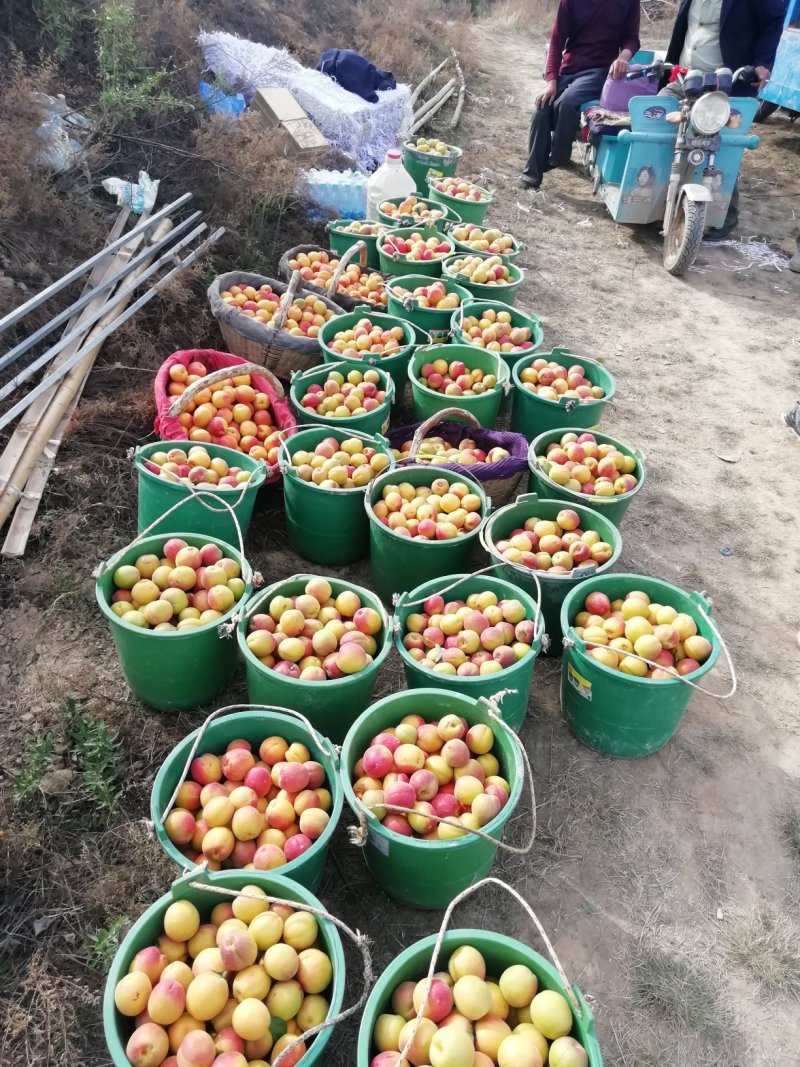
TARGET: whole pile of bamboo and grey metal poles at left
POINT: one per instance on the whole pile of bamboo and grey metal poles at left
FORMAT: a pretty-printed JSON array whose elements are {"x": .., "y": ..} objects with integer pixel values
[{"x": 115, "y": 274}]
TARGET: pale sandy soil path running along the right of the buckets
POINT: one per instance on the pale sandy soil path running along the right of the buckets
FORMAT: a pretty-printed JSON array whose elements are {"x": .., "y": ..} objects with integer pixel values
[{"x": 681, "y": 852}]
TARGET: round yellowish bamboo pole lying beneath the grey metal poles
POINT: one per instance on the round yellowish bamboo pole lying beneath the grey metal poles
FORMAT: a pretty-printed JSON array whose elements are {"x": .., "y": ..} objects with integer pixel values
[{"x": 53, "y": 407}]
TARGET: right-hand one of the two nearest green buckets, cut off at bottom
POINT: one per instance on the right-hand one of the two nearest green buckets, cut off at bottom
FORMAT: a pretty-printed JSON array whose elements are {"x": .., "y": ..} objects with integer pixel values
[{"x": 500, "y": 952}]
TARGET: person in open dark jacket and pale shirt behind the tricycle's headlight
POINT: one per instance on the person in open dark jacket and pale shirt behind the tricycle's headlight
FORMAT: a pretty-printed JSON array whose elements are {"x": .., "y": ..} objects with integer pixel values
[{"x": 733, "y": 34}]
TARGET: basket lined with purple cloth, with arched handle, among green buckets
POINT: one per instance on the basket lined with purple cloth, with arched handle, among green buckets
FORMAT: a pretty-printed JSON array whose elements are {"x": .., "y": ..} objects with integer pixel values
[{"x": 500, "y": 481}]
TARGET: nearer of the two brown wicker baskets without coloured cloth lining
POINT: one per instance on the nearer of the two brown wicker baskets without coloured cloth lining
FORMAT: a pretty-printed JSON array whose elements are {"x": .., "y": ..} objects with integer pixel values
[{"x": 270, "y": 346}]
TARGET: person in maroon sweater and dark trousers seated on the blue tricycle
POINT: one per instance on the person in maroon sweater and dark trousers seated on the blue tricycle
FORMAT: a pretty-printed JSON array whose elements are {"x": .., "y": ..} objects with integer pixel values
[{"x": 591, "y": 39}]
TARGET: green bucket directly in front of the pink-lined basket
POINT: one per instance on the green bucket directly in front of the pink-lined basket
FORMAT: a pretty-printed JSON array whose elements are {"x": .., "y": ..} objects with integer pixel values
[{"x": 205, "y": 517}]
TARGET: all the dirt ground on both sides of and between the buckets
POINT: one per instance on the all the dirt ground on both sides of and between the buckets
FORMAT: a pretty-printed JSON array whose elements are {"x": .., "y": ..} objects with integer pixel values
[{"x": 670, "y": 886}]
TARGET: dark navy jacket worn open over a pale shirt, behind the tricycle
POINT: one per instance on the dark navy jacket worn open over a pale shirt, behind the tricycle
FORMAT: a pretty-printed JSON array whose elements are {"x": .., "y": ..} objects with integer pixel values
[{"x": 748, "y": 35}]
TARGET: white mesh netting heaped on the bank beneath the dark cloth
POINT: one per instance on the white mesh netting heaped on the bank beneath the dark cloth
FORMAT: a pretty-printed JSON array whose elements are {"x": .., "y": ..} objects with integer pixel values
[{"x": 364, "y": 131}]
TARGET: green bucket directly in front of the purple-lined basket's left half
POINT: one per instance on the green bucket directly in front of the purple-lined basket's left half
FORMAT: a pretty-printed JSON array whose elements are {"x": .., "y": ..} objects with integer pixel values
[{"x": 398, "y": 564}]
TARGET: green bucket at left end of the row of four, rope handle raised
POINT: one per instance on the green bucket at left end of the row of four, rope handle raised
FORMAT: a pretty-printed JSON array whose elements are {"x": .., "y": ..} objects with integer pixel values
[{"x": 174, "y": 671}]
